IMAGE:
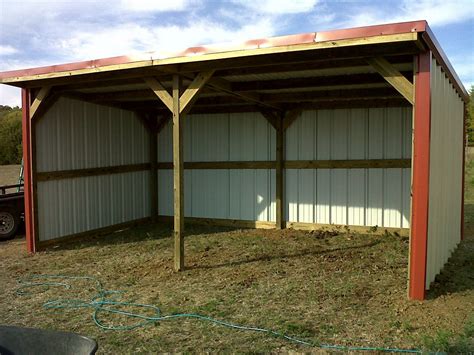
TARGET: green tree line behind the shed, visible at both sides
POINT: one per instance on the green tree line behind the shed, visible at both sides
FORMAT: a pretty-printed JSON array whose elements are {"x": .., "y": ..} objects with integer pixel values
[{"x": 10, "y": 131}]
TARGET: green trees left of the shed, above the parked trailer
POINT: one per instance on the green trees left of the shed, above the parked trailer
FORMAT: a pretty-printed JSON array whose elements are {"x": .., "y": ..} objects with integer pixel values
[{"x": 10, "y": 135}]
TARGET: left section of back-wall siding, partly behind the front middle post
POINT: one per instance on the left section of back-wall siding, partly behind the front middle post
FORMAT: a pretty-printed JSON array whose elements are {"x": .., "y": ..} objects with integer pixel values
[{"x": 231, "y": 194}]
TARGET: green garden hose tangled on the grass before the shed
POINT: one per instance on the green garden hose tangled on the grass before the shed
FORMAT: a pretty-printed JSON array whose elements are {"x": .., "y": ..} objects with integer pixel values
[{"x": 105, "y": 301}]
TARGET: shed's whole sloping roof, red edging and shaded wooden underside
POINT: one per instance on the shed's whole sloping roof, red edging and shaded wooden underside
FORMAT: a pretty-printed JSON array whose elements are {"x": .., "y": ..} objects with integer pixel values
[{"x": 320, "y": 69}]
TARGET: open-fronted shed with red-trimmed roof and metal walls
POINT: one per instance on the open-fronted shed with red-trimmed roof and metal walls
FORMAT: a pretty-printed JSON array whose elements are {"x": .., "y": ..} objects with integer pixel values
[{"x": 360, "y": 128}]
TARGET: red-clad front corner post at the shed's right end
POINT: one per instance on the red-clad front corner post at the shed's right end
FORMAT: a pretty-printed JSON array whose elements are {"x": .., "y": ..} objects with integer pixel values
[{"x": 420, "y": 178}]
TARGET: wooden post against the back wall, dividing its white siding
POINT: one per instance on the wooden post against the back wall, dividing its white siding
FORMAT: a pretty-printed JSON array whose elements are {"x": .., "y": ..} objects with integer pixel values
[{"x": 280, "y": 156}]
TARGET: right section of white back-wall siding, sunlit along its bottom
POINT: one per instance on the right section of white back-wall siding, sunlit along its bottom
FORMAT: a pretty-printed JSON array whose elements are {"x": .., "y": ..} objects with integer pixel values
[{"x": 349, "y": 196}]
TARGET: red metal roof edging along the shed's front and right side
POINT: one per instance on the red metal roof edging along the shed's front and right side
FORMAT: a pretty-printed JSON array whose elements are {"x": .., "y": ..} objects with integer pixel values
[{"x": 312, "y": 37}]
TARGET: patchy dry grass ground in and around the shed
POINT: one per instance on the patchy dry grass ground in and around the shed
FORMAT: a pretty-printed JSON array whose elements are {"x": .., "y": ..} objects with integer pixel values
[{"x": 334, "y": 289}]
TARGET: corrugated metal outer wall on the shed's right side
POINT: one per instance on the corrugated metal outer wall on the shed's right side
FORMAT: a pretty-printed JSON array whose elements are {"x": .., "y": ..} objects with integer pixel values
[{"x": 446, "y": 154}]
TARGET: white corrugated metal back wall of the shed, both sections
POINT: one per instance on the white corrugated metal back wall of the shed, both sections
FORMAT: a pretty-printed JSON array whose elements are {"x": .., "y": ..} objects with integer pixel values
[{"x": 341, "y": 196}]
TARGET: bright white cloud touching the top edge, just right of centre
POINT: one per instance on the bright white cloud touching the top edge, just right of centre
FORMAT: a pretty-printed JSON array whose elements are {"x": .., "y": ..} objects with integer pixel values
[{"x": 279, "y": 7}]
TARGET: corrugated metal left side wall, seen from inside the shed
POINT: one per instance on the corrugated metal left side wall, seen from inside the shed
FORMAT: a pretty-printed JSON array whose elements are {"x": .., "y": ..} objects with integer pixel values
[{"x": 77, "y": 135}]
